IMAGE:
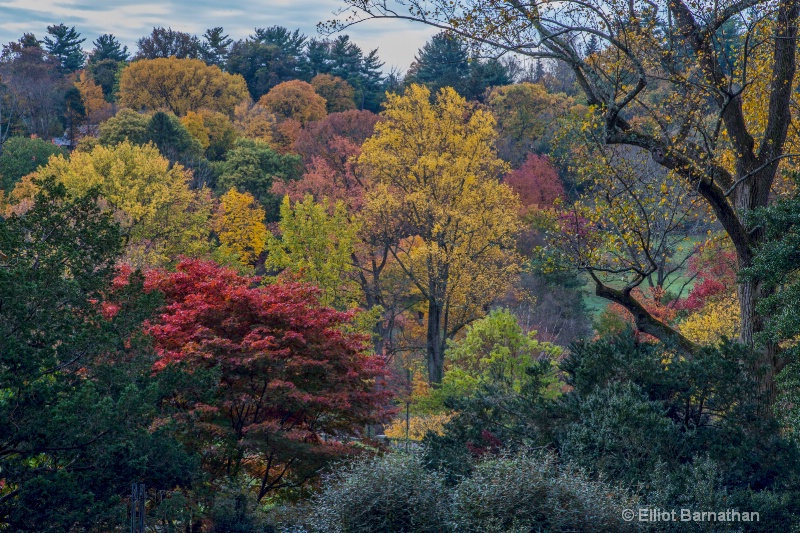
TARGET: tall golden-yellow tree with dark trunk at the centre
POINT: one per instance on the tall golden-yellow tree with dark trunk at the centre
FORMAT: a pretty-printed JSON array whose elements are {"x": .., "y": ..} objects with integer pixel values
[{"x": 436, "y": 197}]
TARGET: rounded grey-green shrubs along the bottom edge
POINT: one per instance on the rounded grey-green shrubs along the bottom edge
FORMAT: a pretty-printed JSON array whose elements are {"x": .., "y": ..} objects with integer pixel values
[{"x": 528, "y": 491}]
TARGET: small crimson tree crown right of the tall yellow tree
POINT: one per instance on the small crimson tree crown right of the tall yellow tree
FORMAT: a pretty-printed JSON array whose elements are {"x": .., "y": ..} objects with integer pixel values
[{"x": 536, "y": 182}]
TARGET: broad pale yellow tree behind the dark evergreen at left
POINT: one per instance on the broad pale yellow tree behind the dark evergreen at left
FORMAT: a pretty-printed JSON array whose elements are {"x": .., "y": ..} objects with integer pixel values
[{"x": 161, "y": 216}]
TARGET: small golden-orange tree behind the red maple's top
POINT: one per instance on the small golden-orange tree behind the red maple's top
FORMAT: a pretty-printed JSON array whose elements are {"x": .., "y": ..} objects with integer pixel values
[{"x": 239, "y": 223}]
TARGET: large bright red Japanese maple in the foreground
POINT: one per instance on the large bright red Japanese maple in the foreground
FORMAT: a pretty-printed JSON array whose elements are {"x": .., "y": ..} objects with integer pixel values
[{"x": 291, "y": 376}]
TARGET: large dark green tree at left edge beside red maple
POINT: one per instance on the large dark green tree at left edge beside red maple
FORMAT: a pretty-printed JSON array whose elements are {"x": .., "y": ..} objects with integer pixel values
[{"x": 77, "y": 396}]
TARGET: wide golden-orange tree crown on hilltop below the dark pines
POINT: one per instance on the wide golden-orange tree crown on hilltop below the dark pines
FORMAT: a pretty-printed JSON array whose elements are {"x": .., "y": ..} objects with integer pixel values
[{"x": 180, "y": 86}]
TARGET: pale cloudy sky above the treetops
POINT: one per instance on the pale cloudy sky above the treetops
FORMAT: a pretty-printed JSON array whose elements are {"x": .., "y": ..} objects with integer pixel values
[{"x": 397, "y": 42}]
